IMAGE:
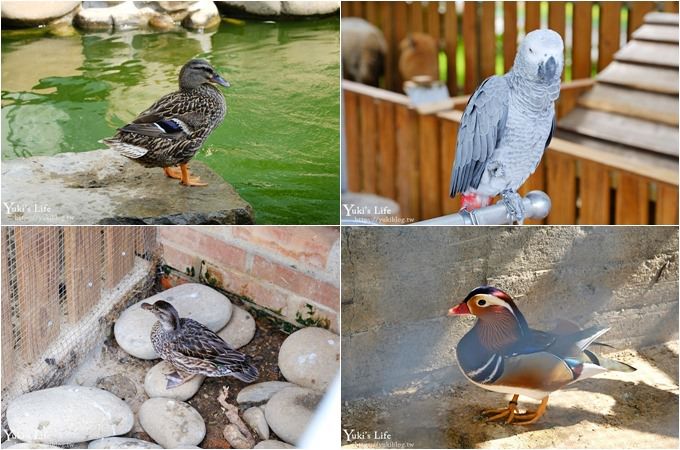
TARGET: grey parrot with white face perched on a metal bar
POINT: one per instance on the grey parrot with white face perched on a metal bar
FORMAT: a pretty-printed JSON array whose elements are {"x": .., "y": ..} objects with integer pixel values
[{"x": 508, "y": 123}]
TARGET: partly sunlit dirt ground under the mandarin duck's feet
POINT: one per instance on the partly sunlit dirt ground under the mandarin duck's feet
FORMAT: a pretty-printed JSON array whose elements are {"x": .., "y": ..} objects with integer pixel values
[{"x": 613, "y": 410}]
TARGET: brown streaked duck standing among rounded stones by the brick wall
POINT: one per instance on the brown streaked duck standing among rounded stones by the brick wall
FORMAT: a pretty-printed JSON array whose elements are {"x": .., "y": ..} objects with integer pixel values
[{"x": 193, "y": 349}]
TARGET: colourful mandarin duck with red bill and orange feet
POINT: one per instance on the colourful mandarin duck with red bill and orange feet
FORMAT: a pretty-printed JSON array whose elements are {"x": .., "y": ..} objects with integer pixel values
[{"x": 502, "y": 354}]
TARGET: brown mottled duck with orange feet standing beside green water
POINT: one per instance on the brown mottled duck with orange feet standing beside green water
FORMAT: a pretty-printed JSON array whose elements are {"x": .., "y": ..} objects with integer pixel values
[{"x": 172, "y": 130}]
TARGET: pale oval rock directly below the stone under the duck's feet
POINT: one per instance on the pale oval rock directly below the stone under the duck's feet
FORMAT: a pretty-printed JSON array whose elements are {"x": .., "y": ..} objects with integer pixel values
[{"x": 171, "y": 423}]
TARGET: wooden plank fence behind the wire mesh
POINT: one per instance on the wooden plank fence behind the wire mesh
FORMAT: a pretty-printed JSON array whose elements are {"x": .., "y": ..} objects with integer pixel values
[{"x": 52, "y": 277}]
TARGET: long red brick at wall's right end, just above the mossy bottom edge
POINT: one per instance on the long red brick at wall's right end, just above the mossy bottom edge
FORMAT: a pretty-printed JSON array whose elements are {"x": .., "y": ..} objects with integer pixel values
[{"x": 296, "y": 281}]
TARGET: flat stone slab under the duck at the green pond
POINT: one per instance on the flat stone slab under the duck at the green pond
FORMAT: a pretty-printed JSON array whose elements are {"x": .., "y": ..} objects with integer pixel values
[{"x": 102, "y": 187}]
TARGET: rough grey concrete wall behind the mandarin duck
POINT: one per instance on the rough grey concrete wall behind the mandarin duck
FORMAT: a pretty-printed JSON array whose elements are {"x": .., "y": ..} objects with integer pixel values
[{"x": 399, "y": 282}]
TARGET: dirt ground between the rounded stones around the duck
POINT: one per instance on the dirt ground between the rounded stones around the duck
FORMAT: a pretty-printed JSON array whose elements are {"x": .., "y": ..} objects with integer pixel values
[{"x": 113, "y": 369}]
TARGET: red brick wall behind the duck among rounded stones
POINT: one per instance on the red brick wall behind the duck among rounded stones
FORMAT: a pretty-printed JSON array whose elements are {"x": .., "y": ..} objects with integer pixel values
[{"x": 281, "y": 268}]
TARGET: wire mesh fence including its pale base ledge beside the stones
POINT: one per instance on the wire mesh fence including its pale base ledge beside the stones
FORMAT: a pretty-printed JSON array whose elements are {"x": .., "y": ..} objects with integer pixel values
[{"x": 60, "y": 289}]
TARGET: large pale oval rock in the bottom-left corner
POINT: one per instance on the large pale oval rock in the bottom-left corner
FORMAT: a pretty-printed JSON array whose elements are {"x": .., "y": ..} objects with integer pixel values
[{"x": 67, "y": 415}]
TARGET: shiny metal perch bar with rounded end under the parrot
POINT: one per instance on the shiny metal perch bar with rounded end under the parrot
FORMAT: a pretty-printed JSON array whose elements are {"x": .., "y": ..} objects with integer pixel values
[{"x": 536, "y": 205}]
